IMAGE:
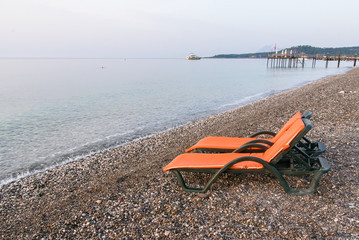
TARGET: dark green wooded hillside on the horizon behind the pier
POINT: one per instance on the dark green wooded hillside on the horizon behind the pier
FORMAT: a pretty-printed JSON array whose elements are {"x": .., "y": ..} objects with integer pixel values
[{"x": 301, "y": 50}]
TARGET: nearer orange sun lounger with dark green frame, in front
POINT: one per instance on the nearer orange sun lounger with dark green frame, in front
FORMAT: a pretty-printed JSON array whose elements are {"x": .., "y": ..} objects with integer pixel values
[{"x": 296, "y": 163}]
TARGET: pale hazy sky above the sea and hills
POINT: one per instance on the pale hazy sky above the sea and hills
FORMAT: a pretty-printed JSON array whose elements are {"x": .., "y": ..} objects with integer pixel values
[{"x": 171, "y": 28}]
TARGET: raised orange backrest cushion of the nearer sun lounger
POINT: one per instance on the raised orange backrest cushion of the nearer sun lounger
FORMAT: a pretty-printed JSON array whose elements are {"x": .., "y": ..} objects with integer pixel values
[{"x": 285, "y": 140}]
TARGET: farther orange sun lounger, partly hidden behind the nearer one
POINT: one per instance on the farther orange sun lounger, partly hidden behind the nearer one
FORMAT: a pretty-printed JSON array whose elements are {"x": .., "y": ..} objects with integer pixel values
[{"x": 230, "y": 144}]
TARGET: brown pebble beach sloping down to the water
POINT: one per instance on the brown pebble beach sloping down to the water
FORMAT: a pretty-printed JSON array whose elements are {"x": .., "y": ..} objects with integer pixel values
[{"x": 123, "y": 192}]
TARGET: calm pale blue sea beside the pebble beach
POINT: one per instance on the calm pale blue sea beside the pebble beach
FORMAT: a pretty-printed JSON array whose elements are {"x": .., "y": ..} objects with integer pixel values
[{"x": 58, "y": 110}]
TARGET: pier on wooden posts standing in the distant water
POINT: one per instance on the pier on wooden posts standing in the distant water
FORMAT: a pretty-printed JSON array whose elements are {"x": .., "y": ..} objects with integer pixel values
[{"x": 284, "y": 60}]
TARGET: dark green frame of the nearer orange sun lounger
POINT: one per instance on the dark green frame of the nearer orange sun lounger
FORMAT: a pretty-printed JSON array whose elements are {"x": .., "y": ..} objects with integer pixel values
[{"x": 292, "y": 161}]
